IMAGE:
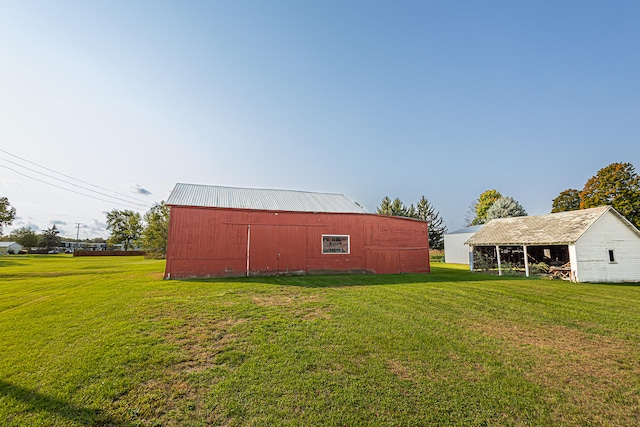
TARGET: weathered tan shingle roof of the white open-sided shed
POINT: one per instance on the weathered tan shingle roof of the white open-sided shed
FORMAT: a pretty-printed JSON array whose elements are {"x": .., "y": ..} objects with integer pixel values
[{"x": 556, "y": 228}]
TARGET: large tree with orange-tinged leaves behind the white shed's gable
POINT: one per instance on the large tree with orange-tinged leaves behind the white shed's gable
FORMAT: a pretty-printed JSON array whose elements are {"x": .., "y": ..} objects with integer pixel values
[{"x": 616, "y": 185}]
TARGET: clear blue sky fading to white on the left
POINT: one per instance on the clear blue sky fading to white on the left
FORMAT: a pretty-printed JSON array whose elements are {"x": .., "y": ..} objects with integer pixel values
[{"x": 366, "y": 98}]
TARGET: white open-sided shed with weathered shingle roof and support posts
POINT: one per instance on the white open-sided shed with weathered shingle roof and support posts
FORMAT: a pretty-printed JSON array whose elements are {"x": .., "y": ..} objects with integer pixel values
[{"x": 599, "y": 244}]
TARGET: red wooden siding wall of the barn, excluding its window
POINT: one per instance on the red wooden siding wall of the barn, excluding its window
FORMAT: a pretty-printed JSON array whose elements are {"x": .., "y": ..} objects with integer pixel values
[{"x": 212, "y": 242}]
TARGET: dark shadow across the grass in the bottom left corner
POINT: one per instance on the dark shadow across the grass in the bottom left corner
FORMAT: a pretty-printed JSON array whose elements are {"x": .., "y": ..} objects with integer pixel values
[{"x": 56, "y": 407}]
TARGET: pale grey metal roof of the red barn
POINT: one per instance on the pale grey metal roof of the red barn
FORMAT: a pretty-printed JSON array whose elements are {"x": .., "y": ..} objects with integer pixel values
[{"x": 260, "y": 199}]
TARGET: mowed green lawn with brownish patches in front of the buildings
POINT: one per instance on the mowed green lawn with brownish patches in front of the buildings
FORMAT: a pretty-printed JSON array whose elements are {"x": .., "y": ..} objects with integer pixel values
[{"x": 105, "y": 341}]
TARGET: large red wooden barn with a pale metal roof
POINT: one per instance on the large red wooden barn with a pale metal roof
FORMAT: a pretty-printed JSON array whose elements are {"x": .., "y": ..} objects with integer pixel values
[{"x": 224, "y": 231}]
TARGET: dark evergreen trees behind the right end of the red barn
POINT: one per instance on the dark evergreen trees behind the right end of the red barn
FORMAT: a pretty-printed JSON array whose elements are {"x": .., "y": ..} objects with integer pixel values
[{"x": 422, "y": 211}]
